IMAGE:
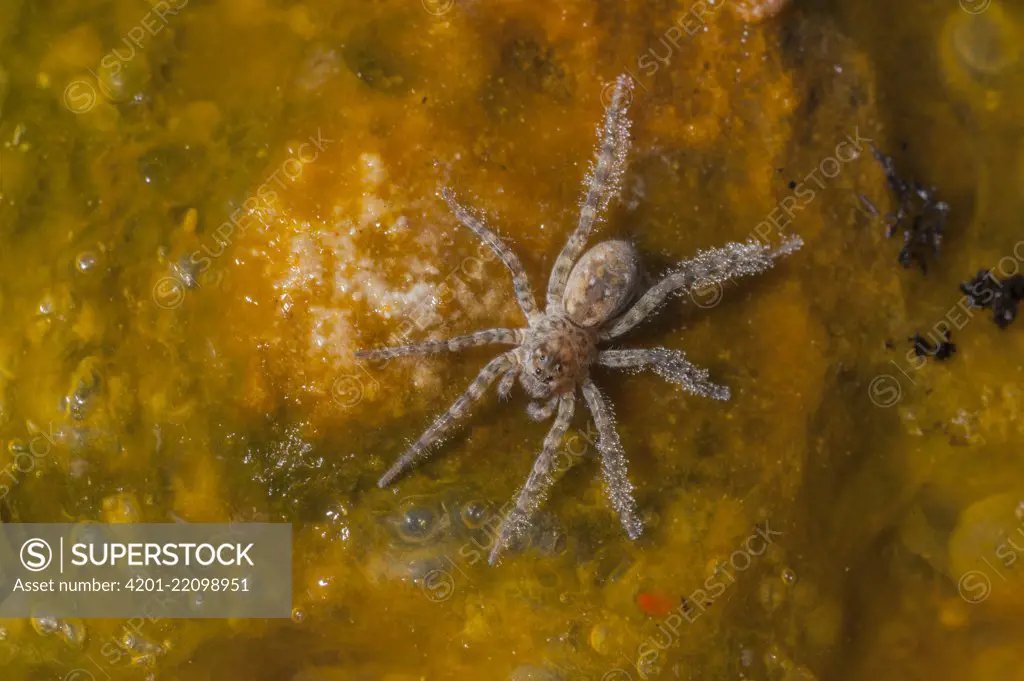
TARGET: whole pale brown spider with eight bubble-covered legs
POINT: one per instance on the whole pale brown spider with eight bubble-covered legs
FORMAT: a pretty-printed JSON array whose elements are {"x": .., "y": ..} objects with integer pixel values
[{"x": 591, "y": 299}]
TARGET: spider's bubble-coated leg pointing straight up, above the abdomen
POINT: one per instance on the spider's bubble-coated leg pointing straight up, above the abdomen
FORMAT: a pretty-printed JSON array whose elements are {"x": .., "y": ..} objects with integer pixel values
[{"x": 602, "y": 184}]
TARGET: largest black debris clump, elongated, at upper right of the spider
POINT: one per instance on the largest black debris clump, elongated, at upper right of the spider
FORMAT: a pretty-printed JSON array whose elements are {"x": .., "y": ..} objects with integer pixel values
[{"x": 922, "y": 219}]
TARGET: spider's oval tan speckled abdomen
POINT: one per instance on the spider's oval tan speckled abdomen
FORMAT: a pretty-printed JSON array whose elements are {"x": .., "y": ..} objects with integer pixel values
[{"x": 603, "y": 283}]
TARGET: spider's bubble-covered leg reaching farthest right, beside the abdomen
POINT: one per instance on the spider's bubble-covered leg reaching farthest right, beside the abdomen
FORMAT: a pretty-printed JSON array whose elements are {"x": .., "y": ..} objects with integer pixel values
[{"x": 712, "y": 268}]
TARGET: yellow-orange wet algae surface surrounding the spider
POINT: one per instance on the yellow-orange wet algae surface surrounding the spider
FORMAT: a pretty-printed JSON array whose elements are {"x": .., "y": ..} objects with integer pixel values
[{"x": 209, "y": 205}]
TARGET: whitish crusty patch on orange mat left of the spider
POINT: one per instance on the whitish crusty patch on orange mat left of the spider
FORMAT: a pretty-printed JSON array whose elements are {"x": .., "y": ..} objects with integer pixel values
[{"x": 334, "y": 277}]
